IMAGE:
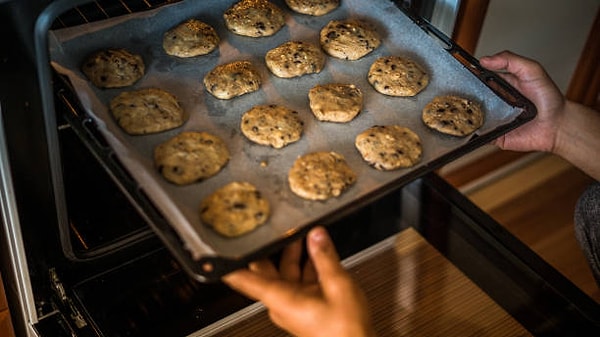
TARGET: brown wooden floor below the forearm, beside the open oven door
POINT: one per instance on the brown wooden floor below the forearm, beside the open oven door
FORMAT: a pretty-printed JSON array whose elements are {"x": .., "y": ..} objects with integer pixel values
[{"x": 533, "y": 196}]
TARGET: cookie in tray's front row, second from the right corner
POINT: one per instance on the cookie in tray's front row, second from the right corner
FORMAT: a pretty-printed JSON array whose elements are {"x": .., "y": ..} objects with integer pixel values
[{"x": 389, "y": 147}]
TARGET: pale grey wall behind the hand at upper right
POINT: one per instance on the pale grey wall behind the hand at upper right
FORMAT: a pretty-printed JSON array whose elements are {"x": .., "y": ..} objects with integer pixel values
[{"x": 550, "y": 31}]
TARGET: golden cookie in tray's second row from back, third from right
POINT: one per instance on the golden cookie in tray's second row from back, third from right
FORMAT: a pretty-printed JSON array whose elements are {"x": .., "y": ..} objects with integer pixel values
[{"x": 233, "y": 79}]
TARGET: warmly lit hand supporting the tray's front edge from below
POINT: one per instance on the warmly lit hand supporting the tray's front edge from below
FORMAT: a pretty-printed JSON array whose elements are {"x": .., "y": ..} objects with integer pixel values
[{"x": 317, "y": 299}]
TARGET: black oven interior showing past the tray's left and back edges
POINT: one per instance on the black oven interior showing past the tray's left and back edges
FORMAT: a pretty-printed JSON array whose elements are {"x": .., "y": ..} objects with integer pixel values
[{"x": 108, "y": 221}]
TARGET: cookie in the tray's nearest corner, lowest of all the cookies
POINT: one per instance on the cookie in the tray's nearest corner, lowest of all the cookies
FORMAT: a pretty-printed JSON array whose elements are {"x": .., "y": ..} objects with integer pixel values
[{"x": 235, "y": 209}]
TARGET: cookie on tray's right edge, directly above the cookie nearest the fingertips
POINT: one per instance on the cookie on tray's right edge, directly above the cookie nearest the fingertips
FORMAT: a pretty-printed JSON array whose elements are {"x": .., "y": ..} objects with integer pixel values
[{"x": 349, "y": 39}]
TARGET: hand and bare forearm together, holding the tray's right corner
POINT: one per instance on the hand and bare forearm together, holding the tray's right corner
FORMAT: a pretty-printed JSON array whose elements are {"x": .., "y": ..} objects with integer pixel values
[{"x": 562, "y": 127}]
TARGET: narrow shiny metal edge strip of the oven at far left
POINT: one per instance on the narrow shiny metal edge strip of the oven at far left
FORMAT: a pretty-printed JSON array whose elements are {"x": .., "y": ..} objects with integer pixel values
[{"x": 18, "y": 279}]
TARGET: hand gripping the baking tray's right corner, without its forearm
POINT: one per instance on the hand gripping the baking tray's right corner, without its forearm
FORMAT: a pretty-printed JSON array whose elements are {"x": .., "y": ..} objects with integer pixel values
[{"x": 529, "y": 78}]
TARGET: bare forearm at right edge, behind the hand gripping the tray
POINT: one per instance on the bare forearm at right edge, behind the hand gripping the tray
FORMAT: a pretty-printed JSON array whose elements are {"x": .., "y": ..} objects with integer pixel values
[{"x": 578, "y": 138}]
